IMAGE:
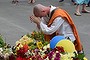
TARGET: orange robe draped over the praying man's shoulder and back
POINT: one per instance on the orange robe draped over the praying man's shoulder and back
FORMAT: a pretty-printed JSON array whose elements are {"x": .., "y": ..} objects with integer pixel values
[{"x": 62, "y": 13}]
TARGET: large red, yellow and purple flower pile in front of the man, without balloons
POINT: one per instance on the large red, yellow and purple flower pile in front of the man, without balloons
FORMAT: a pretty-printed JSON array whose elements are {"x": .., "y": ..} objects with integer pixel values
[{"x": 34, "y": 47}]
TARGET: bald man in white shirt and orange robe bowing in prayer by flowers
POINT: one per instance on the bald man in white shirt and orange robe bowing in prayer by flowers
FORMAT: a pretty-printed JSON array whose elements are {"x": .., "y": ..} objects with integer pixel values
[{"x": 55, "y": 21}]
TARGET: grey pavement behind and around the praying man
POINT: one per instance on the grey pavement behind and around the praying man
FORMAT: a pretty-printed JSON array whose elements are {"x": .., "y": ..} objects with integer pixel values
[{"x": 14, "y": 20}]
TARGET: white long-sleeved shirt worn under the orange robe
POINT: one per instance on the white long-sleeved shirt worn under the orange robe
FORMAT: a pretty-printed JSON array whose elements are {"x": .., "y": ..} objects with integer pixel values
[{"x": 59, "y": 25}]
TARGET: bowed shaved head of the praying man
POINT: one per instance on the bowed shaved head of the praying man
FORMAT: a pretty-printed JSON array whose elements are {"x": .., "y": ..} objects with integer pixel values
[{"x": 39, "y": 10}]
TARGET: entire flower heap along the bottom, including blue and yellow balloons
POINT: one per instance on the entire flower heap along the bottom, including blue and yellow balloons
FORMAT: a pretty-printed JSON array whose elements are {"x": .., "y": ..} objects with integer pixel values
[{"x": 34, "y": 47}]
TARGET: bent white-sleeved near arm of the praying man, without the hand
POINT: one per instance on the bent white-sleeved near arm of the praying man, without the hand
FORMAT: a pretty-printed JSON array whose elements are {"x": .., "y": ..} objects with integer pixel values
[{"x": 53, "y": 28}]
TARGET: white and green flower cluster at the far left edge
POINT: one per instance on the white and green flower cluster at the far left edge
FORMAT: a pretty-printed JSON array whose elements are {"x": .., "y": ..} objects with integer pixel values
[{"x": 5, "y": 50}]
